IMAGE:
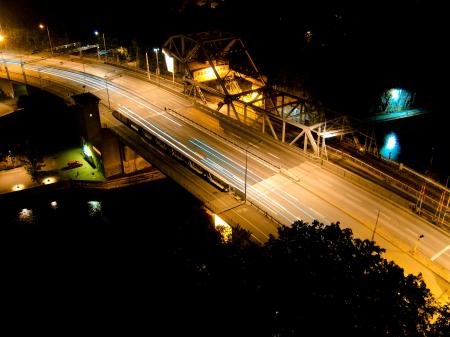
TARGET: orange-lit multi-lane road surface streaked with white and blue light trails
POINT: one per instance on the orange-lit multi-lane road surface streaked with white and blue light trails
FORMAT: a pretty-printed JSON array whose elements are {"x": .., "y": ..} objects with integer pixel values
[{"x": 278, "y": 179}]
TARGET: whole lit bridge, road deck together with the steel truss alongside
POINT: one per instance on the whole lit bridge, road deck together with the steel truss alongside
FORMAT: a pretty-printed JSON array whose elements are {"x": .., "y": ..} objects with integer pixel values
[{"x": 255, "y": 179}]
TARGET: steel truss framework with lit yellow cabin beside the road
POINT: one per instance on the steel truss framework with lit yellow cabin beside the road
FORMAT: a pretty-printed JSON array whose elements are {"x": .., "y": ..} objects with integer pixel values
[{"x": 219, "y": 64}]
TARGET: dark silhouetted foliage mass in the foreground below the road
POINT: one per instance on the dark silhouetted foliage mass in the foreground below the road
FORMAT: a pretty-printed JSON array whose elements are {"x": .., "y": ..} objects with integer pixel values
[{"x": 310, "y": 280}]
